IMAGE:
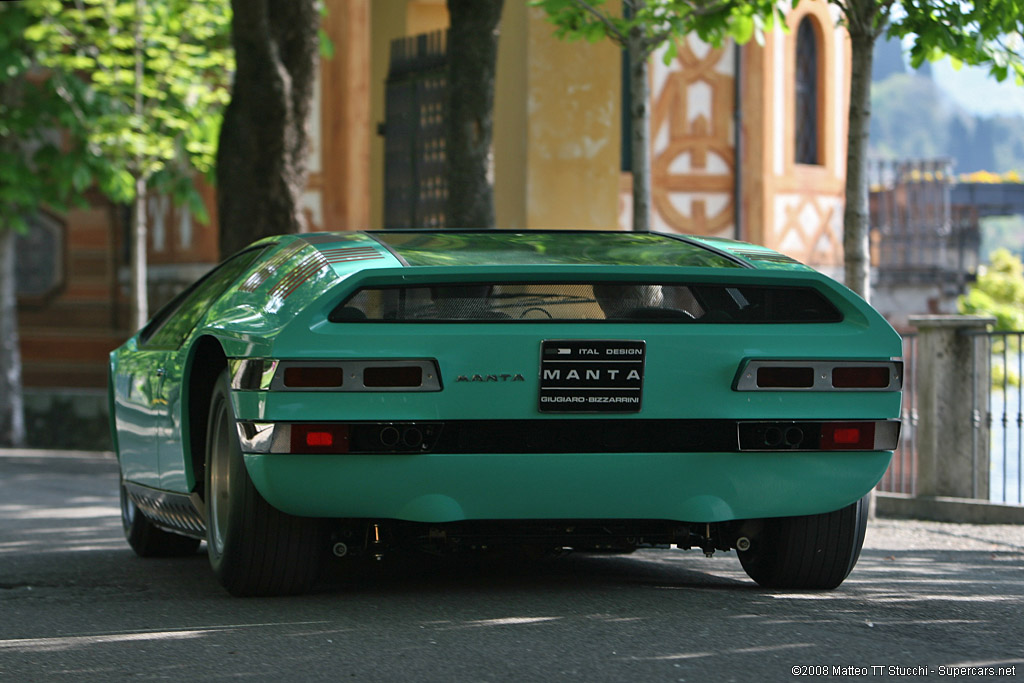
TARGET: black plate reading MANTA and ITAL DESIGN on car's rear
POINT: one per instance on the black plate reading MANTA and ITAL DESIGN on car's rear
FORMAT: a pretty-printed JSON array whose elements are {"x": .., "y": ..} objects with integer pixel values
[{"x": 591, "y": 376}]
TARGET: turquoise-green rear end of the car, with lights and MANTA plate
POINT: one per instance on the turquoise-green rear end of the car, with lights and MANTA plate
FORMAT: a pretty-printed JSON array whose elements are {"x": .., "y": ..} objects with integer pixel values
[{"x": 440, "y": 395}]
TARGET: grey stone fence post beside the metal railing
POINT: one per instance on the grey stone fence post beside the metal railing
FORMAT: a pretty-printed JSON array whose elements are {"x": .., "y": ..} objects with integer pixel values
[{"x": 953, "y": 399}]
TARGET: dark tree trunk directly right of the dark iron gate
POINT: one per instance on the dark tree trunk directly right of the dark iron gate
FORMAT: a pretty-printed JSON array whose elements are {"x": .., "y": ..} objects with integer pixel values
[{"x": 473, "y": 58}]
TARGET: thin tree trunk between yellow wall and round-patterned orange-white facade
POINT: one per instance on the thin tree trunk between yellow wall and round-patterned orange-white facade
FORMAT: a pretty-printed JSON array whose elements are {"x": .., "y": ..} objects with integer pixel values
[{"x": 641, "y": 131}]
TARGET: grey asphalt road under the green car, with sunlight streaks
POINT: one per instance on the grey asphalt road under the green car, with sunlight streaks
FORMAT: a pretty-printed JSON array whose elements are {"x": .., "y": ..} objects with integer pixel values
[{"x": 77, "y": 605}]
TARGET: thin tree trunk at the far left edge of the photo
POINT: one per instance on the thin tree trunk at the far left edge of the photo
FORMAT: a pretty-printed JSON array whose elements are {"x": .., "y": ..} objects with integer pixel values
[{"x": 12, "y": 410}]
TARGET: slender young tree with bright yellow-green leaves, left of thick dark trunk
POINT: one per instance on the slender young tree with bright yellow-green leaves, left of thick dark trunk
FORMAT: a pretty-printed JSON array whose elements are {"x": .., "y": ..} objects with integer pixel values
[{"x": 157, "y": 73}]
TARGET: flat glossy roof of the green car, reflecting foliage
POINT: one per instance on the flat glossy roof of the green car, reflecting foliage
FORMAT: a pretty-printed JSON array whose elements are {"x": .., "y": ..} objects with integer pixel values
[{"x": 471, "y": 248}]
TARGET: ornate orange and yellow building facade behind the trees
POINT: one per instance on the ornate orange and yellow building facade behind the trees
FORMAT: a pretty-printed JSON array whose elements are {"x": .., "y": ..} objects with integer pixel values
[{"x": 748, "y": 143}]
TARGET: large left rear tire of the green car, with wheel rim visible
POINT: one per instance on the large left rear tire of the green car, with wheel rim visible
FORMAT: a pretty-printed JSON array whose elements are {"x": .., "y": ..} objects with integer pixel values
[{"x": 254, "y": 548}]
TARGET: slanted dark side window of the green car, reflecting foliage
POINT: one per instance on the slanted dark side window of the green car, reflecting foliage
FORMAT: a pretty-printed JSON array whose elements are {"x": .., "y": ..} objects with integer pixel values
[{"x": 170, "y": 327}]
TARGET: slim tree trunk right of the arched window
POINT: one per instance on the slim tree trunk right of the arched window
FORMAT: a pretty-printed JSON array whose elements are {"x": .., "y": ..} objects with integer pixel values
[{"x": 856, "y": 219}]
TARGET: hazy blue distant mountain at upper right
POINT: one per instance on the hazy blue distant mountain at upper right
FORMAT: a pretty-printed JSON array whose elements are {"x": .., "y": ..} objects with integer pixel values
[{"x": 913, "y": 117}]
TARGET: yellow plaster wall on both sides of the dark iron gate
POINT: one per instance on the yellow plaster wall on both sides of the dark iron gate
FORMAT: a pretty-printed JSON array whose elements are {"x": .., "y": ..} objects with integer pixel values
[{"x": 557, "y": 117}]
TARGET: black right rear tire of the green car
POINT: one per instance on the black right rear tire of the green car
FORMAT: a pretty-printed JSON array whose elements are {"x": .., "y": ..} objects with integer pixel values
[{"x": 809, "y": 552}]
